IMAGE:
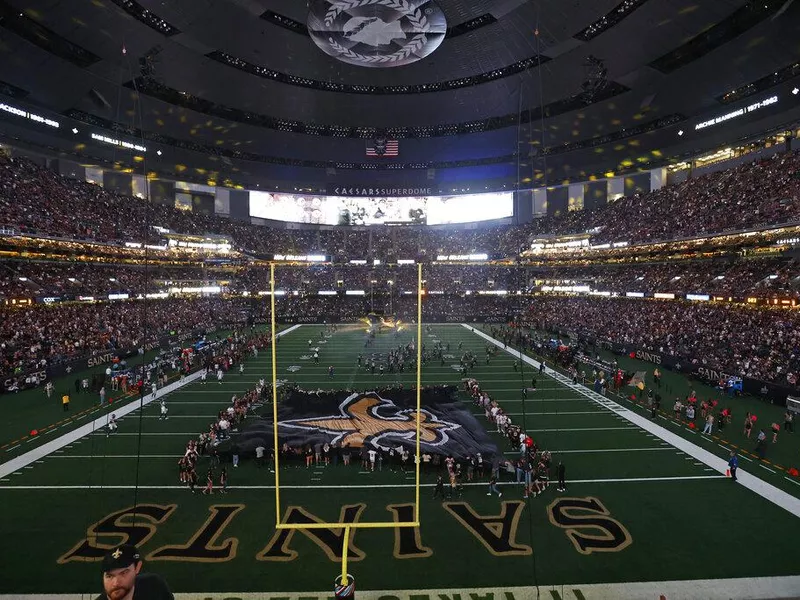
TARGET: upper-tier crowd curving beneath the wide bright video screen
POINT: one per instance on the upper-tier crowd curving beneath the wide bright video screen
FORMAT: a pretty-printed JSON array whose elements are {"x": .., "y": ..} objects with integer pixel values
[{"x": 38, "y": 201}]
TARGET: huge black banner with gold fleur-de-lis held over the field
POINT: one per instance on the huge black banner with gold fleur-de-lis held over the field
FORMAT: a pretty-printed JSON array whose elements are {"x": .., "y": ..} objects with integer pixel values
[{"x": 378, "y": 420}]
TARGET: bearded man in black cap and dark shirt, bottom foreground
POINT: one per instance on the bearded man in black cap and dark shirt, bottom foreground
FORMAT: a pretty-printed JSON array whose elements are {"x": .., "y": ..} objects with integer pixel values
[{"x": 123, "y": 579}]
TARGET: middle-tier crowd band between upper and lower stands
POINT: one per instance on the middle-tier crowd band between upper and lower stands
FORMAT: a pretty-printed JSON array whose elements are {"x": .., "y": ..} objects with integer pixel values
[{"x": 739, "y": 277}]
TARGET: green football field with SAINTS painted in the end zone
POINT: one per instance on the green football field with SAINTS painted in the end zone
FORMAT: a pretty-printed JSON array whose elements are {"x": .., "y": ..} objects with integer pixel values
[{"x": 643, "y": 504}]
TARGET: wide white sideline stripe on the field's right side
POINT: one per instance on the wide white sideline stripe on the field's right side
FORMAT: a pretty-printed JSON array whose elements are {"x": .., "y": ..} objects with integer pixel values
[{"x": 759, "y": 486}]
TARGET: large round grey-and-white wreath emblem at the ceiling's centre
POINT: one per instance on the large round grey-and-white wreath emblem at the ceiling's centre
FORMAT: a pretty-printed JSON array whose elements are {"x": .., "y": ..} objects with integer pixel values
[{"x": 376, "y": 33}]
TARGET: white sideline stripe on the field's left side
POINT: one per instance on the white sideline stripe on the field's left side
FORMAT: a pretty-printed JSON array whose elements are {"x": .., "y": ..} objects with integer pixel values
[{"x": 22, "y": 461}]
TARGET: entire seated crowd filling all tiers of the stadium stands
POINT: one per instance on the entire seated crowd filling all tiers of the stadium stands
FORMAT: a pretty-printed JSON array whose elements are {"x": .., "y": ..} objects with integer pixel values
[{"x": 759, "y": 343}]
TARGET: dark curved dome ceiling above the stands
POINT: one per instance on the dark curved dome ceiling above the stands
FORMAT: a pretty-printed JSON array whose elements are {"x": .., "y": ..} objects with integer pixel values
[{"x": 594, "y": 82}]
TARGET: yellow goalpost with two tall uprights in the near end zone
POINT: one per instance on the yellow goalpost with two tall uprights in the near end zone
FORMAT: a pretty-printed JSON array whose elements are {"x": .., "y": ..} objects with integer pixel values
[{"x": 345, "y": 582}]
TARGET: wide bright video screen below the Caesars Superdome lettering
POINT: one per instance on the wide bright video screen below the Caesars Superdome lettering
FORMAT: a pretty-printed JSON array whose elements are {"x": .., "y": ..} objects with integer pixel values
[{"x": 341, "y": 210}]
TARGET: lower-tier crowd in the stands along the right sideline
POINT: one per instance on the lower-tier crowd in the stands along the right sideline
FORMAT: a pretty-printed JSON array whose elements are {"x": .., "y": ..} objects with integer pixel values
[{"x": 761, "y": 343}]
